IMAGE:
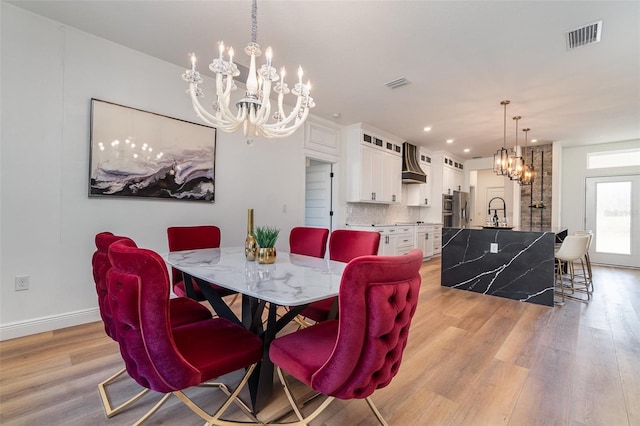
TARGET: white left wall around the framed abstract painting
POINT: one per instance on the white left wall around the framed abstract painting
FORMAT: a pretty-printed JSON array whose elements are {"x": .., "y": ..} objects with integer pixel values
[{"x": 49, "y": 74}]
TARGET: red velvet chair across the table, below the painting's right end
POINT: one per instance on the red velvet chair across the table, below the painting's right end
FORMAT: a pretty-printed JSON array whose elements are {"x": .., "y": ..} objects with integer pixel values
[{"x": 191, "y": 238}]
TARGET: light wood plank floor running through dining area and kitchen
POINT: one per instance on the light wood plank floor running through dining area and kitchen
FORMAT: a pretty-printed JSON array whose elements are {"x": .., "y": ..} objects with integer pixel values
[{"x": 471, "y": 360}]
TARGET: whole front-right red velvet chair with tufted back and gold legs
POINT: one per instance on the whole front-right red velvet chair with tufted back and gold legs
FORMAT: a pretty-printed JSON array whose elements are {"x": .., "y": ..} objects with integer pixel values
[{"x": 351, "y": 357}]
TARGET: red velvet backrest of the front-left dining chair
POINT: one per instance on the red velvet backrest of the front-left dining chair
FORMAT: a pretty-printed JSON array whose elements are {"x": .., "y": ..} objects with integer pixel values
[{"x": 138, "y": 288}]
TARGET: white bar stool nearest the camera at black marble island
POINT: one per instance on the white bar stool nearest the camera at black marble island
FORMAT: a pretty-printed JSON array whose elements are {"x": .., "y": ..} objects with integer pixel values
[{"x": 573, "y": 249}]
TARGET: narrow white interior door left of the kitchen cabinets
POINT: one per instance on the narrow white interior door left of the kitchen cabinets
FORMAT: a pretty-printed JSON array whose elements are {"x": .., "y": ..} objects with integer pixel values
[{"x": 318, "y": 195}]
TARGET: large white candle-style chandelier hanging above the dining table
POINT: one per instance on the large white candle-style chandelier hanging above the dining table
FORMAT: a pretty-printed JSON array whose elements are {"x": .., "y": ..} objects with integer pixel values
[{"x": 254, "y": 110}]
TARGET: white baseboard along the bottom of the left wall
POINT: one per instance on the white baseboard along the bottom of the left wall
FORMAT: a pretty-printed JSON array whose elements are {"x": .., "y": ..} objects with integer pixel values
[{"x": 54, "y": 322}]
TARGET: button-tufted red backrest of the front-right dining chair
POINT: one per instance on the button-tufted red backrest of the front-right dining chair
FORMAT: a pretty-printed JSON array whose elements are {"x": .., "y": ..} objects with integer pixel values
[{"x": 378, "y": 297}]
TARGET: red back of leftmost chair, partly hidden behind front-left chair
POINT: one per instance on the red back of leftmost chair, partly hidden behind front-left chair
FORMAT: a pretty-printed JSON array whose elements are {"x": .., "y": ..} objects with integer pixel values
[{"x": 101, "y": 265}]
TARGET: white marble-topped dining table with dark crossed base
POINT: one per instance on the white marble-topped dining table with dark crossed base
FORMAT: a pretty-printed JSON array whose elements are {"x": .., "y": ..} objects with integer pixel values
[{"x": 292, "y": 281}]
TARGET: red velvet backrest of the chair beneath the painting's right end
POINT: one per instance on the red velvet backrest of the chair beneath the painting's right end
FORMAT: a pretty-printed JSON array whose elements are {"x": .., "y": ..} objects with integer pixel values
[{"x": 191, "y": 238}]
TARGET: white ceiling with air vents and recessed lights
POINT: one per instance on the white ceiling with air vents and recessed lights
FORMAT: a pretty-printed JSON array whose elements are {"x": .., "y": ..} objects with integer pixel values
[{"x": 461, "y": 59}]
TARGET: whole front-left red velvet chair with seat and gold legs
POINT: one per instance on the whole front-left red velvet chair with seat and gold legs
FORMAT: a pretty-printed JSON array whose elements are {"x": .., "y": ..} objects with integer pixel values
[{"x": 166, "y": 359}]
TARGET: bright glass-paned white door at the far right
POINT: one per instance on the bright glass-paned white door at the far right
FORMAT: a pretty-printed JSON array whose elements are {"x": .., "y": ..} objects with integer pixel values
[{"x": 612, "y": 213}]
